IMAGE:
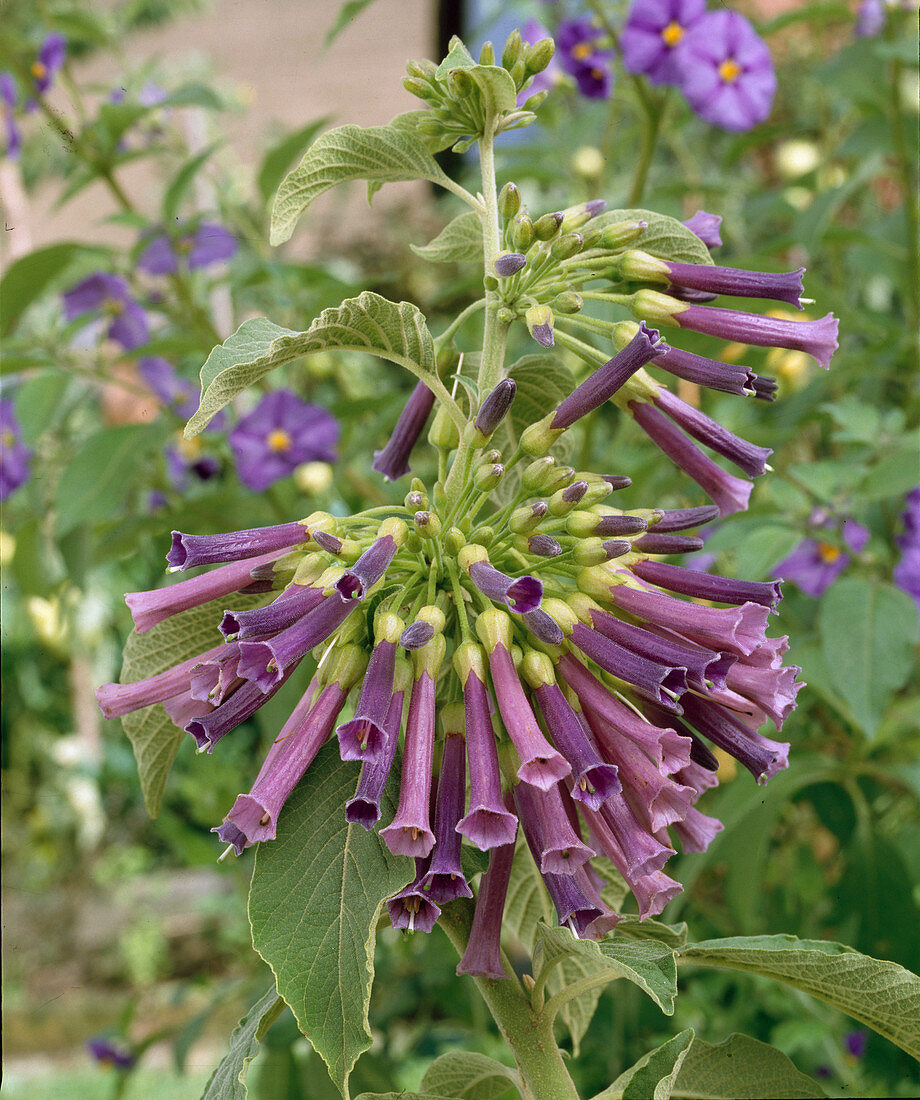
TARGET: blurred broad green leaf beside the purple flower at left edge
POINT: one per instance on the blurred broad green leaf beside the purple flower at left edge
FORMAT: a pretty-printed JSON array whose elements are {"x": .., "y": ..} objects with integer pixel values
[{"x": 96, "y": 482}]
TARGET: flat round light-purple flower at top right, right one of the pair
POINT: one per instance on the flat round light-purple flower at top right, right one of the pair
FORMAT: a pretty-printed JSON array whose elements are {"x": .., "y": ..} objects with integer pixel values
[{"x": 726, "y": 72}]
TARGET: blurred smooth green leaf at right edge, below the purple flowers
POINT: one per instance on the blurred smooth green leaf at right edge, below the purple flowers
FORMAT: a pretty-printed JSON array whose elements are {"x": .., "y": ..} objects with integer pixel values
[{"x": 869, "y": 636}]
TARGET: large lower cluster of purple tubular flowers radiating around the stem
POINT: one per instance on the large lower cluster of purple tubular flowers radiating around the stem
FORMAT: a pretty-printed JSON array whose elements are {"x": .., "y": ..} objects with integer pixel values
[{"x": 532, "y": 665}]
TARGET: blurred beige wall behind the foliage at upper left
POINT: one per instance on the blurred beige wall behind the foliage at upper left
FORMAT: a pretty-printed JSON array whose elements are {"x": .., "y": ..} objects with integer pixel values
[{"x": 272, "y": 51}]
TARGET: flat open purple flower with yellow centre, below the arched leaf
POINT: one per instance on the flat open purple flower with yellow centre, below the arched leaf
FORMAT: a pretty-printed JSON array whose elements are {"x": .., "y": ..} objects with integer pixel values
[{"x": 281, "y": 434}]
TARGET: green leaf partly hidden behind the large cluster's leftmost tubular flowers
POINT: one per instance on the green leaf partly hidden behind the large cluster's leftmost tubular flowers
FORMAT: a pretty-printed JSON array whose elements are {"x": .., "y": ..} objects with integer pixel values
[{"x": 154, "y": 736}]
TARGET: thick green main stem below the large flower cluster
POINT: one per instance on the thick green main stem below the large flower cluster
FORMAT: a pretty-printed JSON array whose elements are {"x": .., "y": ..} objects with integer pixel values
[{"x": 529, "y": 1036}]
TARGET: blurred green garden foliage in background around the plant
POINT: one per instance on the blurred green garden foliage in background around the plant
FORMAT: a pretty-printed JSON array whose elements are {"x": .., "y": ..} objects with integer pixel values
[{"x": 129, "y": 921}]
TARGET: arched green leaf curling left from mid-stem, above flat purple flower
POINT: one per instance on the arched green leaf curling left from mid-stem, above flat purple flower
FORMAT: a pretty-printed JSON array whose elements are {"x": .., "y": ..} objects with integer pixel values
[{"x": 369, "y": 324}]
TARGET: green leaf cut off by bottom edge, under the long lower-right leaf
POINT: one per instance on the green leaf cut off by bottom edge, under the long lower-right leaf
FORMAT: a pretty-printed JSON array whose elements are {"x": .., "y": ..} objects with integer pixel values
[{"x": 741, "y": 1069}]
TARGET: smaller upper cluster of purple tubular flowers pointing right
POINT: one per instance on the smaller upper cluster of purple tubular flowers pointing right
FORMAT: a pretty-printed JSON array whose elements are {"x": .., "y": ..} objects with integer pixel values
[{"x": 543, "y": 278}]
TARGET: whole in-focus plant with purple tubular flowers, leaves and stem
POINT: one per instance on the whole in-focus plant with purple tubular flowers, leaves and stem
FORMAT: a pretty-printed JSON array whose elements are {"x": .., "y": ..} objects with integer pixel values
[{"x": 514, "y": 684}]
